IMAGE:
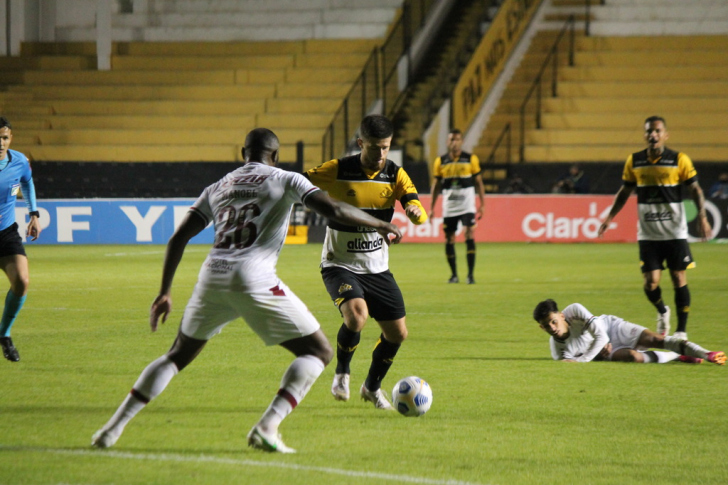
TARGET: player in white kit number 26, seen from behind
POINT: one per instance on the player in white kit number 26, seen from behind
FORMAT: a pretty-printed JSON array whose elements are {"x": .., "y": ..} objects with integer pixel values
[{"x": 249, "y": 208}]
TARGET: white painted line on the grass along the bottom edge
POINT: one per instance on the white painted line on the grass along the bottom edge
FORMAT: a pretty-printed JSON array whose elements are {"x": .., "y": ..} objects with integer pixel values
[{"x": 237, "y": 462}]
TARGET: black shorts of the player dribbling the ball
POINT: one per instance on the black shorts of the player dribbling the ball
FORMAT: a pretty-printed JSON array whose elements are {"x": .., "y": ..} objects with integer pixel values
[{"x": 380, "y": 291}]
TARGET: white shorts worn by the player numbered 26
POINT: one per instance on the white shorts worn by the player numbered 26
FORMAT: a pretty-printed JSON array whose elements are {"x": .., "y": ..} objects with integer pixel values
[{"x": 276, "y": 314}]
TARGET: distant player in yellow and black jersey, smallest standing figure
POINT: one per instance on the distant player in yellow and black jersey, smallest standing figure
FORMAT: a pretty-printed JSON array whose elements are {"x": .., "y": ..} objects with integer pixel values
[{"x": 457, "y": 177}]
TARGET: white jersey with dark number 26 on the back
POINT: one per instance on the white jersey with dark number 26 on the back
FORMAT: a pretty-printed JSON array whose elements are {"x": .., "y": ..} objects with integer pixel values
[{"x": 249, "y": 208}]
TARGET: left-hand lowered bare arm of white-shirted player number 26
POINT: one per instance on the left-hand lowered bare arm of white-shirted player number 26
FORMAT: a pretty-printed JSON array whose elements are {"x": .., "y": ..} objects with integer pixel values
[{"x": 191, "y": 226}]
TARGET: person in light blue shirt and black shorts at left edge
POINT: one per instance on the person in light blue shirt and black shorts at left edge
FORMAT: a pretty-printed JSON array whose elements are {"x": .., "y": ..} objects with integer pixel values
[{"x": 15, "y": 174}]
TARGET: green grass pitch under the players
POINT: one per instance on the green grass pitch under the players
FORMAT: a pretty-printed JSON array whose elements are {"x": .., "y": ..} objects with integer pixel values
[{"x": 503, "y": 412}]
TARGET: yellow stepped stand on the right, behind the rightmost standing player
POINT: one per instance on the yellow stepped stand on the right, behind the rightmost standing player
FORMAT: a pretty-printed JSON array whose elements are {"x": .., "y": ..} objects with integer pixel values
[{"x": 623, "y": 73}]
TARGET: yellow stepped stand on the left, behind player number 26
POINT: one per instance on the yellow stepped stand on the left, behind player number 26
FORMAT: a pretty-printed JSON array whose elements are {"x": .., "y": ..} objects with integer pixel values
[{"x": 169, "y": 97}]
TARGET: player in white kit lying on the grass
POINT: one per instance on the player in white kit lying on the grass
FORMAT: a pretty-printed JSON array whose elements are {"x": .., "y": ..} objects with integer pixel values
[{"x": 579, "y": 336}]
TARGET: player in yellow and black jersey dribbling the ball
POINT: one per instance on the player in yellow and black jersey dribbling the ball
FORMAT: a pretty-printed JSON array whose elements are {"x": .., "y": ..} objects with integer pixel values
[{"x": 355, "y": 260}]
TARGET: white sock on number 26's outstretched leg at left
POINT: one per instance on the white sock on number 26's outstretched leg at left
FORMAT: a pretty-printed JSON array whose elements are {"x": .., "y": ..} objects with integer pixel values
[{"x": 150, "y": 384}]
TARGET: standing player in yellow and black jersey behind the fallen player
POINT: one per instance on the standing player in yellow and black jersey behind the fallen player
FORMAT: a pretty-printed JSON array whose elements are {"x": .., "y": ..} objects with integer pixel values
[{"x": 657, "y": 174}]
